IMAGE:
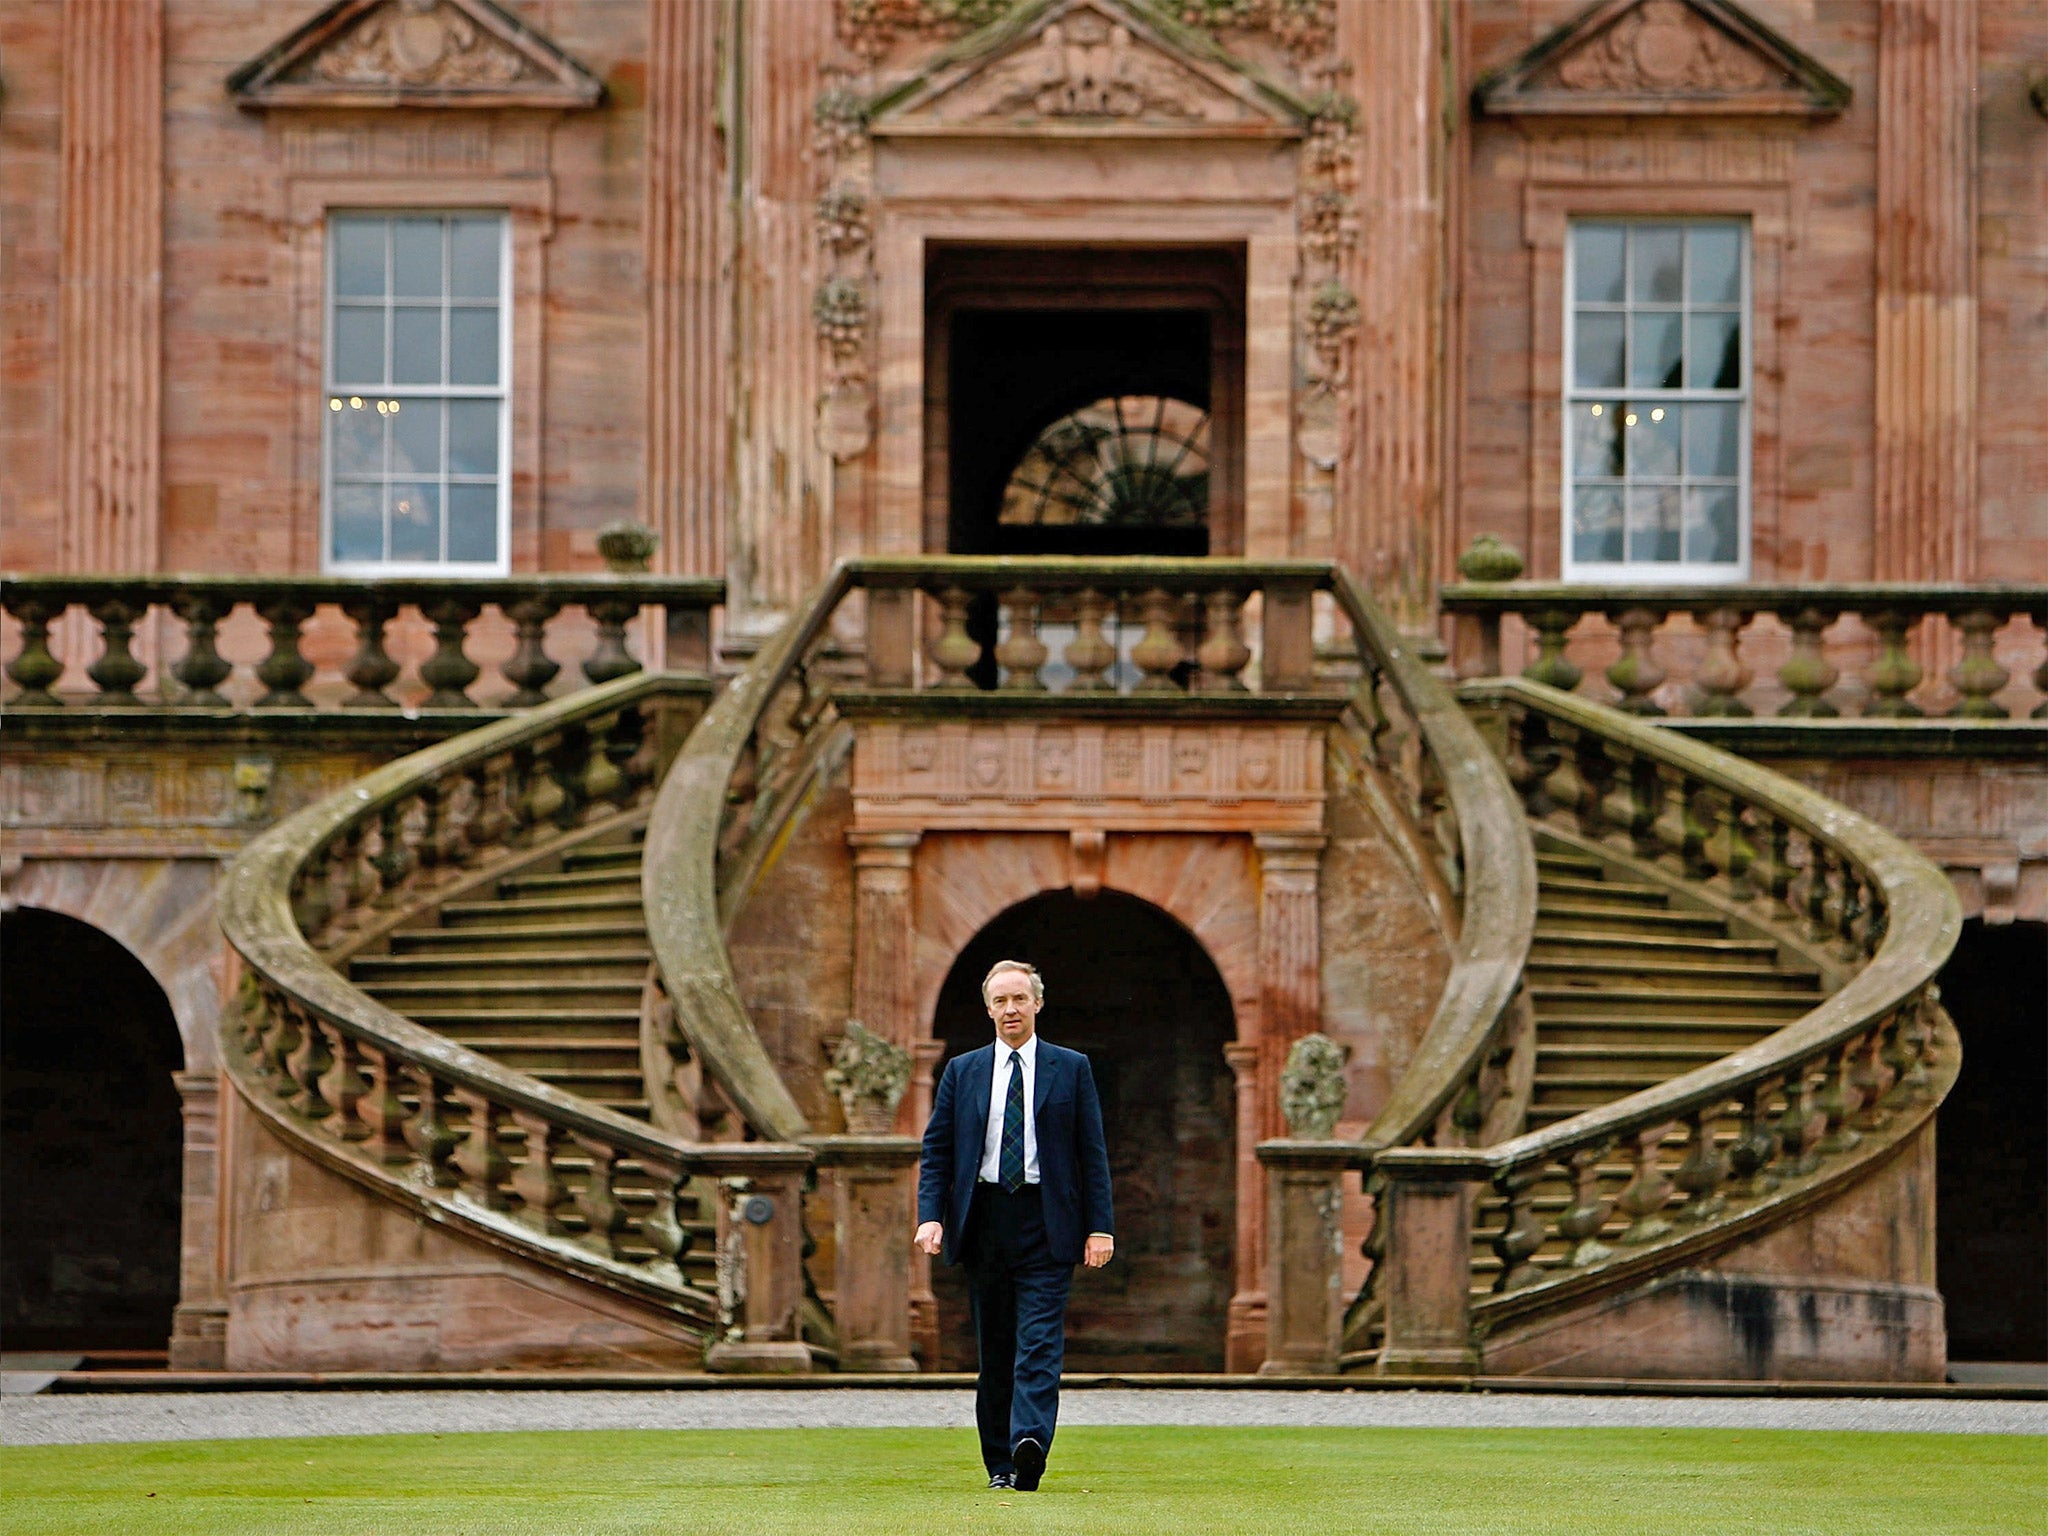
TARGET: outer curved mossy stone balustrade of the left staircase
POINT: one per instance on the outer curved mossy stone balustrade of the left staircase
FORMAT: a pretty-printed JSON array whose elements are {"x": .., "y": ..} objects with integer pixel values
[{"x": 407, "y": 1111}]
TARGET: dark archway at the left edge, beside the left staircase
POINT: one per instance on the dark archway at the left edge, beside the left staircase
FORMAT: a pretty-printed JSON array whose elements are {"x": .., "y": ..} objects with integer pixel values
[{"x": 91, "y": 1142}]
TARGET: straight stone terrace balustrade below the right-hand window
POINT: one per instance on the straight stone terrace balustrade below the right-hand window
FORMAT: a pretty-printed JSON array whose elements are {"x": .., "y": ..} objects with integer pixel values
[{"x": 1709, "y": 675}]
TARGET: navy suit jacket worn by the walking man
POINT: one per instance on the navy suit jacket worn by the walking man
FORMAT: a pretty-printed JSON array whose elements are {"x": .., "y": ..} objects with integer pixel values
[{"x": 1074, "y": 1162}]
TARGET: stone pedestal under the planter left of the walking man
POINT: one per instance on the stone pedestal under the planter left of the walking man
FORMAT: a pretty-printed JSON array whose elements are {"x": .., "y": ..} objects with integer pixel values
[{"x": 873, "y": 1220}]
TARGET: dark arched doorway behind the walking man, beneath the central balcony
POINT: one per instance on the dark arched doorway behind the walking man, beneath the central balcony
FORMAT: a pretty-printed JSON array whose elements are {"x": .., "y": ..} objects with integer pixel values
[{"x": 1140, "y": 996}]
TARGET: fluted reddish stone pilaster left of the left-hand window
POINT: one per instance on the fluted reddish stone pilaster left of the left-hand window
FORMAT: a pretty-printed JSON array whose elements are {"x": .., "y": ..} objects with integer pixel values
[{"x": 112, "y": 284}]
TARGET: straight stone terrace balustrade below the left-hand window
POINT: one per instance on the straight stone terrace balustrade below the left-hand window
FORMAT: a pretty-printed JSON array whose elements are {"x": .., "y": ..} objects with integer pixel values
[{"x": 181, "y": 624}]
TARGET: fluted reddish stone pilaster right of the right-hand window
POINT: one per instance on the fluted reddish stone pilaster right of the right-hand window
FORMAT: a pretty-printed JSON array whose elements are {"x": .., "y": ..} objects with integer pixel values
[{"x": 1926, "y": 357}]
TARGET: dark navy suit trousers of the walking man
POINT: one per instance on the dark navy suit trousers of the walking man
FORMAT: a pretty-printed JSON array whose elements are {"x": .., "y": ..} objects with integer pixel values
[{"x": 1019, "y": 1299}]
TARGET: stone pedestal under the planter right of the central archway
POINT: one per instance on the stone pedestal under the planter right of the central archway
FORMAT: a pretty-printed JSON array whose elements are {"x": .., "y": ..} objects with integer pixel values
[{"x": 1306, "y": 1254}]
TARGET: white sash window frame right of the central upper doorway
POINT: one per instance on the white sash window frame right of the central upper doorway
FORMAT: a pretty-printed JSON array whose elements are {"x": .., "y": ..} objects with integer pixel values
[{"x": 1678, "y": 572}]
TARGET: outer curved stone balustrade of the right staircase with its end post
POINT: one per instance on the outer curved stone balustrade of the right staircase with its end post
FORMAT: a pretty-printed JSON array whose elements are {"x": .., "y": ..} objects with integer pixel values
[{"x": 1766, "y": 1129}]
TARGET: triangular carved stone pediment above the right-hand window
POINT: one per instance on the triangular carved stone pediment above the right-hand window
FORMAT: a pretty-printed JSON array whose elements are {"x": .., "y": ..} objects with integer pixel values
[{"x": 1664, "y": 58}]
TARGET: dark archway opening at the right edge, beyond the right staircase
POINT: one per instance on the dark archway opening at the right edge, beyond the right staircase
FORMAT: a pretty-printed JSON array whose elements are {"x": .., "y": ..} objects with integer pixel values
[{"x": 1992, "y": 1183}]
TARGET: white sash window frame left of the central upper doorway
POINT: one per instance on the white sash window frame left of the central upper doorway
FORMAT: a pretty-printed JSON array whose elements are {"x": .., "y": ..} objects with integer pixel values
[{"x": 443, "y": 392}]
